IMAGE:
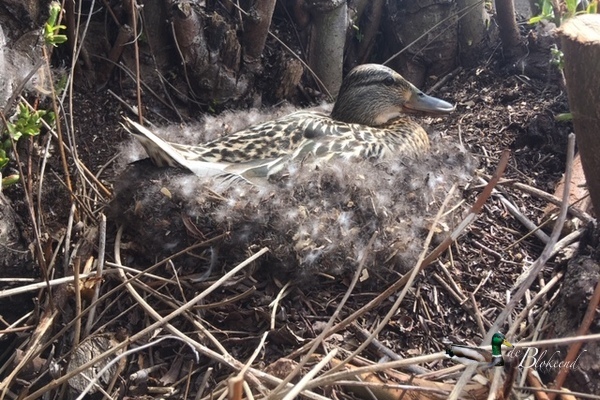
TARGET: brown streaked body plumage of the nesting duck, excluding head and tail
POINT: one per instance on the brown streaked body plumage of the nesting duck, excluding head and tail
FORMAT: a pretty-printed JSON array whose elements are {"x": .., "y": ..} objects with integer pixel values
[{"x": 306, "y": 132}]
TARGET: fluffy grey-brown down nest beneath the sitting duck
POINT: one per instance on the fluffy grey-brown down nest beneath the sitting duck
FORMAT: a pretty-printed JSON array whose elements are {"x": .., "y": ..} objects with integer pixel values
[{"x": 314, "y": 218}]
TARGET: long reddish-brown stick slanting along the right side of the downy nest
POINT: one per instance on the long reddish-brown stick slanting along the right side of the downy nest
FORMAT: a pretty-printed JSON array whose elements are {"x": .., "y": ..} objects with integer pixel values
[{"x": 386, "y": 294}]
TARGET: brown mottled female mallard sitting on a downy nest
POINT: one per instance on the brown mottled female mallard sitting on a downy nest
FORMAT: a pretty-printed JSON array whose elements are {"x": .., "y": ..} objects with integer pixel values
[{"x": 366, "y": 122}]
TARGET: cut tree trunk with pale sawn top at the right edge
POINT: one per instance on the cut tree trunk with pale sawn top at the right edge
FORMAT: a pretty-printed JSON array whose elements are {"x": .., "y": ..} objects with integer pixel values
[{"x": 581, "y": 46}]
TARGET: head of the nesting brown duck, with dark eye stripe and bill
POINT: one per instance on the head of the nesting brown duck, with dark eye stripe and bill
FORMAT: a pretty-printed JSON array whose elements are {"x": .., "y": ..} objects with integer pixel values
[{"x": 372, "y": 94}]
